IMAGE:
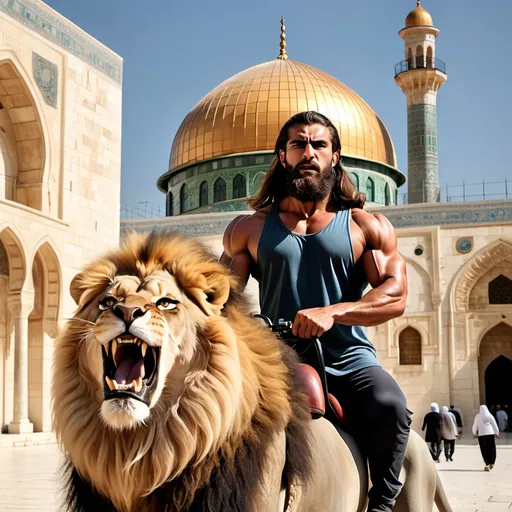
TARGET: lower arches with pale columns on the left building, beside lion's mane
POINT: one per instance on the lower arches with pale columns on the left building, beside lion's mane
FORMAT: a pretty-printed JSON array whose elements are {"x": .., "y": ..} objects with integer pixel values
[{"x": 29, "y": 307}]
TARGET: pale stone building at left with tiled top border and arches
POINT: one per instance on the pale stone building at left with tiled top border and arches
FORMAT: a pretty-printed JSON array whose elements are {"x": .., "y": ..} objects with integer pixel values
[{"x": 60, "y": 147}]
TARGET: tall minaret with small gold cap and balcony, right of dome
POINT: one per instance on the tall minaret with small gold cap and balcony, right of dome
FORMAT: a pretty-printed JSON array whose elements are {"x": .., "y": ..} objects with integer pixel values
[{"x": 420, "y": 76}]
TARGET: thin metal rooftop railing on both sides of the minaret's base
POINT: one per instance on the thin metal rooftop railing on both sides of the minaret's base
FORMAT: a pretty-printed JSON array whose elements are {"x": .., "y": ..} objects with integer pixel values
[{"x": 465, "y": 192}]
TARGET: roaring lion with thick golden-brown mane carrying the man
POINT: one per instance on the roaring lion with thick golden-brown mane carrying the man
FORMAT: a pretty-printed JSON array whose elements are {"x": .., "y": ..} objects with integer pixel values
[{"x": 168, "y": 395}]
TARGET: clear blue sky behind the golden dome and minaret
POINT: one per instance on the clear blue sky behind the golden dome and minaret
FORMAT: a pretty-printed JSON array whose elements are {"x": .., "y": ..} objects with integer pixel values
[{"x": 175, "y": 52}]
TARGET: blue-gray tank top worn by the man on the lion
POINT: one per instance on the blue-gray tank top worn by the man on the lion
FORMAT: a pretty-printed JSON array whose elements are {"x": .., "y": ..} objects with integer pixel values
[{"x": 305, "y": 271}]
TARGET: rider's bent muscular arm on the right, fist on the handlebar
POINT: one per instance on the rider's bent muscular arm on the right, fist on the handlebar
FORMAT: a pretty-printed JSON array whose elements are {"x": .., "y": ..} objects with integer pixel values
[{"x": 385, "y": 270}]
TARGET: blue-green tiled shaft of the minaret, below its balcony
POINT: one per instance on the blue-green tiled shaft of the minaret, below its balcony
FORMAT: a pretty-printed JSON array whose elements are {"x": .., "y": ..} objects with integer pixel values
[{"x": 423, "y": 167}]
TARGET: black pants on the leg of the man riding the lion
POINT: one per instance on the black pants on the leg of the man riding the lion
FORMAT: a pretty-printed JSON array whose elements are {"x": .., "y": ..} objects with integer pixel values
[{"x": 379, "y": 420}]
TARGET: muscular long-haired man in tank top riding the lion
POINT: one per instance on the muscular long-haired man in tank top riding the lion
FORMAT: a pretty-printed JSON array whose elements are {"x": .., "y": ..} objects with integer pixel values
[{"x": 313, "y": 250}]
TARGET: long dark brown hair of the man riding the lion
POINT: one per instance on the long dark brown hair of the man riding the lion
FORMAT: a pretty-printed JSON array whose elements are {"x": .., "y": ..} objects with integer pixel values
[{"x": 343, "y": 194}]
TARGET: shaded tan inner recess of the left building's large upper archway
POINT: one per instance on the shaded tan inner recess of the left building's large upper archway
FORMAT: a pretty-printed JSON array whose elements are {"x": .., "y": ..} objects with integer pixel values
[{"x": 22, "y": 128}]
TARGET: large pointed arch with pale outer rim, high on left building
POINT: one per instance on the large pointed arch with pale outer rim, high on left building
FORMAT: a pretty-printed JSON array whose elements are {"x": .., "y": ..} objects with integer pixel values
[{"x": 23, "y": 104}]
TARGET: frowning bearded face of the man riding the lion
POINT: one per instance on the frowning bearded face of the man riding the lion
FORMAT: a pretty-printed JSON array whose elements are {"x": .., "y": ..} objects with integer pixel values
[{"x": 309, "y": 161}]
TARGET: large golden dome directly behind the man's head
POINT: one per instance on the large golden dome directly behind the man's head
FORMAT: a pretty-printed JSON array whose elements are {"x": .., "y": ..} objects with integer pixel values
[{"x": 246, "y": 112}]
